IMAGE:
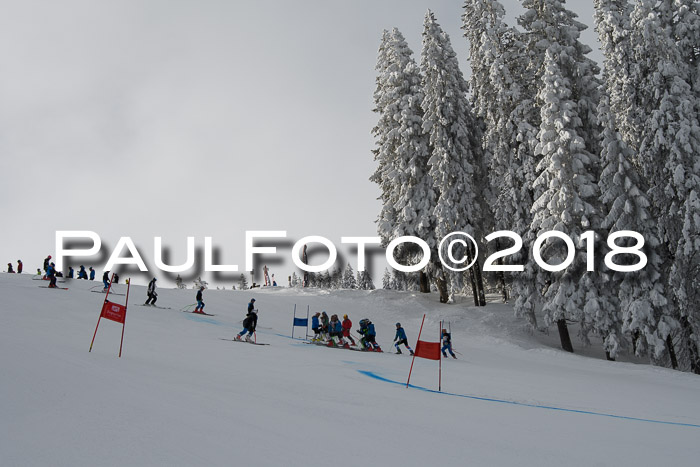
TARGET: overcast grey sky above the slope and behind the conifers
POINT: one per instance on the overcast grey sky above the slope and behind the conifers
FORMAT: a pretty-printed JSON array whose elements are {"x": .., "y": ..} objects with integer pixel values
[{"x": 202, "y": 118}]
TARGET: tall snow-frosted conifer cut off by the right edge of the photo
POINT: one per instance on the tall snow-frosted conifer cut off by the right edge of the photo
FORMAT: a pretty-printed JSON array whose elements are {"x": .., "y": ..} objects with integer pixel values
[{"x": 666, "y": 109}]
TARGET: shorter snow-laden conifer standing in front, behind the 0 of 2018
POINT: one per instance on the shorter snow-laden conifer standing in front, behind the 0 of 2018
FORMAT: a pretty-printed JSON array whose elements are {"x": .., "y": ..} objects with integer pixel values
[{"x": 569, "y": 201}]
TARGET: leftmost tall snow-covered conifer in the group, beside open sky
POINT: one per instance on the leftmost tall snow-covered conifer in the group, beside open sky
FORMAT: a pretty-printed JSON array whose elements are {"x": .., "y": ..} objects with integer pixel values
[{"x": 402, "y": 146}]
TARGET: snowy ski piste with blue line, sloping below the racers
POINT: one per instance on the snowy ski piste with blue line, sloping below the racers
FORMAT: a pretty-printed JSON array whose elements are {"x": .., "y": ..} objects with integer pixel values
[{"x": 183, "y": 395}]
